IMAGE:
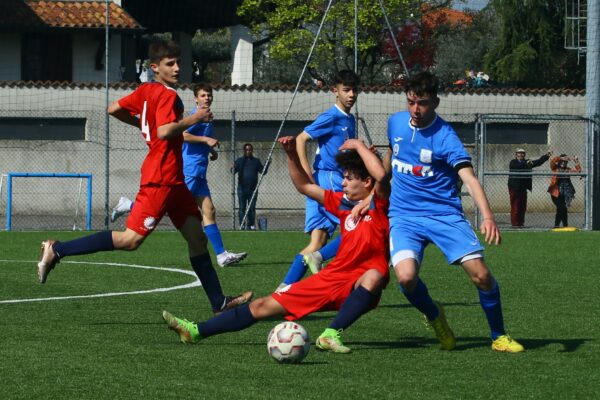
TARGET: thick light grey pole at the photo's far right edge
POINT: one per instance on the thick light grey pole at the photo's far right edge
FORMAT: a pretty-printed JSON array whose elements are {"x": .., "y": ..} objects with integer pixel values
[{"x": 592, "y": 98}]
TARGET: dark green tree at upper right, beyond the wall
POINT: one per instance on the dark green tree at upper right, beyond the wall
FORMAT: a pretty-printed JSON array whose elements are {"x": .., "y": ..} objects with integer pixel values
[{"x": 529, "y": 50}]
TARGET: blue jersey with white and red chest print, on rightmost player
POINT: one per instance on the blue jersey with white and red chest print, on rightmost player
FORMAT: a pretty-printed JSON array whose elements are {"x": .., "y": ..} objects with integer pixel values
[{"x": 423, "y": 161}]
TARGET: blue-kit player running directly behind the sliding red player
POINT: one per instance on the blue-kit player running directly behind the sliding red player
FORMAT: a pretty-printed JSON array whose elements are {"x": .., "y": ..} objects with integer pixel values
[{"x": 330, "y": 130}]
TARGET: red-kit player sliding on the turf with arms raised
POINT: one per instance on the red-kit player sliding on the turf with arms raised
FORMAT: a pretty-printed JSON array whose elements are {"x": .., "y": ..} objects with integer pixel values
[{"x": 352, "y": 283}]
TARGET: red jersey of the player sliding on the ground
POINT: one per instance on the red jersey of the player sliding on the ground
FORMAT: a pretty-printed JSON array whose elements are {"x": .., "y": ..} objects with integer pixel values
[{"x": 365, "y": 242}]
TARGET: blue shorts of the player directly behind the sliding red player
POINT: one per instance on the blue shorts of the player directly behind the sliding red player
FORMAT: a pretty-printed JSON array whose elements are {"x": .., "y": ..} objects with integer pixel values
[{"x": 316, "y": 216}]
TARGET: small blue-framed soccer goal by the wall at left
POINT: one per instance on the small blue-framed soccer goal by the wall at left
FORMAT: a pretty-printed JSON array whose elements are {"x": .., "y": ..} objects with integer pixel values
[{"x": 37, "y": 200}]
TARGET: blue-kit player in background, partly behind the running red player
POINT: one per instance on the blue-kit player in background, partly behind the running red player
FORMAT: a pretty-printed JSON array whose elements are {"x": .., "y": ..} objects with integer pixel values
[{"x": 198, "y": 146}]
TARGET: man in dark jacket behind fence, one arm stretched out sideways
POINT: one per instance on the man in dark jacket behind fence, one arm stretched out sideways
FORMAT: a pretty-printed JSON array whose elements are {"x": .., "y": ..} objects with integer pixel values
[{"x": 519, "y": 183}]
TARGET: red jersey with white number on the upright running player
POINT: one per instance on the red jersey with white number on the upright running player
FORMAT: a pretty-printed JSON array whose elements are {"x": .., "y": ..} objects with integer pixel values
[{"x": 157, "y": 105}]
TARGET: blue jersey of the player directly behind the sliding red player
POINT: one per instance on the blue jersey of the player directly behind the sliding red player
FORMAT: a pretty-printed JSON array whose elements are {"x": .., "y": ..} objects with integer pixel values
[{"x": 331, "y": 129}]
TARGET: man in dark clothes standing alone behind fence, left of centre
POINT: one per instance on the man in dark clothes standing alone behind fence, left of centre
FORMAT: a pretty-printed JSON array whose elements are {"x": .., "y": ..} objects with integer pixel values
[{"x": 248, "y": 168}]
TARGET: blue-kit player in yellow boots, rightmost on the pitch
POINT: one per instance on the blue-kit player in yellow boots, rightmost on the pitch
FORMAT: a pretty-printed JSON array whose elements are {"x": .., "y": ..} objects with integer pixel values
[{"x": 426, "y": 158}]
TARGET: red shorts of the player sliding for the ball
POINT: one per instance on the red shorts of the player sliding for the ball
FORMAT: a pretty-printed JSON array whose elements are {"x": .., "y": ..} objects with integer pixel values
[{"x": 320, "y": 292}]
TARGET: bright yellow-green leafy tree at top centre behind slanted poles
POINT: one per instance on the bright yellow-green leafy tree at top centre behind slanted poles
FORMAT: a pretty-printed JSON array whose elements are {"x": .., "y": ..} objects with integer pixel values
[{"x": 290, "y": 27}]
